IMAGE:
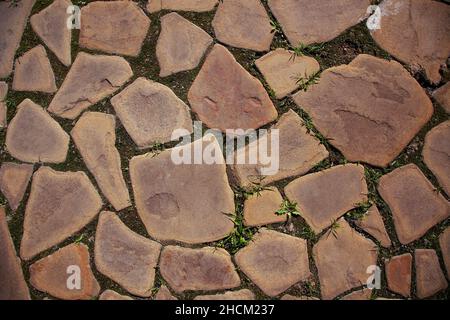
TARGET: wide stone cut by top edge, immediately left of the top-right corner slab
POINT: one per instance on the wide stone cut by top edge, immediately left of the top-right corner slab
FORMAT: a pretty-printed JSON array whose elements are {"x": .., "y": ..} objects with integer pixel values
[{"x": 308, "y": 21}]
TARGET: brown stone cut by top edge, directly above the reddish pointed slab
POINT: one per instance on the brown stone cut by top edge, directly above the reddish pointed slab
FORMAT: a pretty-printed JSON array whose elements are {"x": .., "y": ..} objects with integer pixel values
[{"x": 243, "y": 24}]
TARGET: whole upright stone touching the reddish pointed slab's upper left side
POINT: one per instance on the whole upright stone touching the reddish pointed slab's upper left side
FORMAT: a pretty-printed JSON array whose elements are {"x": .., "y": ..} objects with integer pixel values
[{"x": 181, "y": 45}]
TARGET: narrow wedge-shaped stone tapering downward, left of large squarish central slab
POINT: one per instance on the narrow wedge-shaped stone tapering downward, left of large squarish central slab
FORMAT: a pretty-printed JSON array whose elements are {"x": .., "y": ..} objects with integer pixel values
[{"x": 95, "y": 137}]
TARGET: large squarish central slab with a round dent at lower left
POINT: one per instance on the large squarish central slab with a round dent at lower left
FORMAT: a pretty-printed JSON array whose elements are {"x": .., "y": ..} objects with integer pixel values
[{"x": 176, "y": 206}]
